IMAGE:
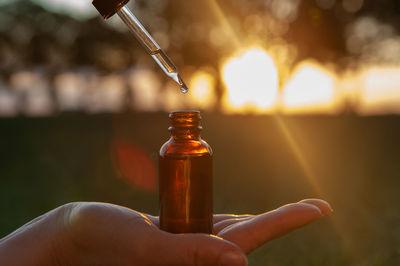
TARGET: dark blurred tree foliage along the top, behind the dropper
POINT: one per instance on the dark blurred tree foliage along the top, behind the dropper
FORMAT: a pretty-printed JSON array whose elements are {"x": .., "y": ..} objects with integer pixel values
[{"x": 31, "y": 35}]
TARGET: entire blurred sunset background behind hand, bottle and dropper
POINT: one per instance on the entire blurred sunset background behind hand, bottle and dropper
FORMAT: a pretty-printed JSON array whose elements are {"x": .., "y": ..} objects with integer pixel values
[{"x": 300, "y": 98}]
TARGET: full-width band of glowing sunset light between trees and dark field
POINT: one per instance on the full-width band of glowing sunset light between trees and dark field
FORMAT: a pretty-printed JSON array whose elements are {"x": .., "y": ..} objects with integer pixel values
[{"x": 250, "y": 85}]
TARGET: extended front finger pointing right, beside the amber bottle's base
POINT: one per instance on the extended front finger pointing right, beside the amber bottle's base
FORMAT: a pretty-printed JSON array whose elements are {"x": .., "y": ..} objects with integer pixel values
[{"x": 253, "y": 233}]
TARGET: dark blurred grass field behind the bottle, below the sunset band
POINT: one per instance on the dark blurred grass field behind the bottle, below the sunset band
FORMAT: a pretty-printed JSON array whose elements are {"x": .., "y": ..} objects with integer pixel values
[{"x": 261, "y": 162}]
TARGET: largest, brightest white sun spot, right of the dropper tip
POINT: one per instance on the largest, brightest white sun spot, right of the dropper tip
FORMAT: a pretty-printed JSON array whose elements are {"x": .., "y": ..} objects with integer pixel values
[{"x": 251, "y": 80}]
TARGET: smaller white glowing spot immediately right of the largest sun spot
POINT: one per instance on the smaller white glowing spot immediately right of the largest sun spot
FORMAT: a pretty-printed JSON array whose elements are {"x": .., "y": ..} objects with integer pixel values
[{"x": 310, "y": 89}]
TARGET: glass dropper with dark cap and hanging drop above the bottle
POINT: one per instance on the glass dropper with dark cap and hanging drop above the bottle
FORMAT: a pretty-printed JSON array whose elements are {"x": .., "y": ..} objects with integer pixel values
[{"x": 108, "y": 8}]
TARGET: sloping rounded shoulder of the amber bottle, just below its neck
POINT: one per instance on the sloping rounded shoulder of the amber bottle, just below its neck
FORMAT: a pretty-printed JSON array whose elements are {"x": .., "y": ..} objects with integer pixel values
[{"x": 192, "y": 147}]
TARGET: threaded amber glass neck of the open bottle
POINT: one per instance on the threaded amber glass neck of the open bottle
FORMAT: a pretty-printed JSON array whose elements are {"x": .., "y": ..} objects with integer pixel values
[{"x": 185, "y": 125}]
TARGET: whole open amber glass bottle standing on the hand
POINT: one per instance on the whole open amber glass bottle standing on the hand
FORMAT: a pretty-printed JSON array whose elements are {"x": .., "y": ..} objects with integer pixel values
[{"x": 185, "y": 177}]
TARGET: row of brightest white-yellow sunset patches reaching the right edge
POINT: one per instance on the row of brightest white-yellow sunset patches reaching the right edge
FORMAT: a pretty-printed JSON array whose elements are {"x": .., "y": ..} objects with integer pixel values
[{"x": 251, "y": 81}]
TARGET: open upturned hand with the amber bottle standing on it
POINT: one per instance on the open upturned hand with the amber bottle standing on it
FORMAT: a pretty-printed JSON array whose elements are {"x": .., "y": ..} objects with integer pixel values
[{"x": 106, "y": 234}]
